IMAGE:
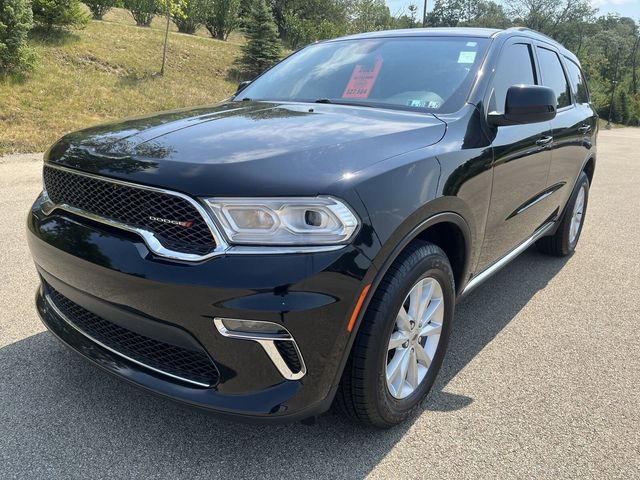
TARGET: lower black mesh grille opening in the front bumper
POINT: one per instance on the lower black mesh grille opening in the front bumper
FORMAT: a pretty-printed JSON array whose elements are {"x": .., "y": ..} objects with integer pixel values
[{"x": 187, "y": 364}]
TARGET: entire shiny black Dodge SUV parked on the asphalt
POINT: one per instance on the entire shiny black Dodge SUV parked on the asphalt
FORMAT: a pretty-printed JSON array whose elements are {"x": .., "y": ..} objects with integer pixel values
[{"x": 307, "y": 239}]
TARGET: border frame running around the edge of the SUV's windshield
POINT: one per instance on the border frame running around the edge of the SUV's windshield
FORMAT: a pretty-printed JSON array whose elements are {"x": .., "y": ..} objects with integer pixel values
[{"x": 467, "y": 86}]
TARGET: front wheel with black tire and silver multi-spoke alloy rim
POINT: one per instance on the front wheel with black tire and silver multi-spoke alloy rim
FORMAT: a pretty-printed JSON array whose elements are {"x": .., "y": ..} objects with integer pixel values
[{"x": 402, "y": 340}]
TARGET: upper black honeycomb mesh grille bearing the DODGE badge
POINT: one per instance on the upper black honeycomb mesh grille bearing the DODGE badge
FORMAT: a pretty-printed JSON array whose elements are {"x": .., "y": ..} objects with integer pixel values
[{"x": 133, "y": 206}]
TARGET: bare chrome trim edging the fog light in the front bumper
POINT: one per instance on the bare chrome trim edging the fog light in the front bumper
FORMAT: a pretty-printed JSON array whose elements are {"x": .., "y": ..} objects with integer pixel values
[{"x": 267, "y": 342}]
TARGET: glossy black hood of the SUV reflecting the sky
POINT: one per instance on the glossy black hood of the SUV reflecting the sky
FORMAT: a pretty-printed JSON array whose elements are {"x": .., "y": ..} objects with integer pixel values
[{"x": 247, "y": 148}]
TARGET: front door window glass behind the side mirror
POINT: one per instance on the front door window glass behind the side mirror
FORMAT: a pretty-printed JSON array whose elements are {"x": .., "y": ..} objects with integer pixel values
[{"x": 515, "y": 68}]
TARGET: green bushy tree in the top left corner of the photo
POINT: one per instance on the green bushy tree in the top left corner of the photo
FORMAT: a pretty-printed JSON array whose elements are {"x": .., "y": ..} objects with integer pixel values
[{"x": 16, "y": 19}]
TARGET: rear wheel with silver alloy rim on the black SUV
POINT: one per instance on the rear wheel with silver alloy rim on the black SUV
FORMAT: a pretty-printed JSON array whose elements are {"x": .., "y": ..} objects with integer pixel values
[{"x": 563, "y": 242}]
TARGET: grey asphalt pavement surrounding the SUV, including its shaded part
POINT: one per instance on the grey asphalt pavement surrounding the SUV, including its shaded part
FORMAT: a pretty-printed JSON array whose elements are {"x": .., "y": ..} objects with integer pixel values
[{"x": 542, "y": 377}]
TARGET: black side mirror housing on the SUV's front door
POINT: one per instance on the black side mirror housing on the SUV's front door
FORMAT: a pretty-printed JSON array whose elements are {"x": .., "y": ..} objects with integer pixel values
[{"x": 526, "y": 104}]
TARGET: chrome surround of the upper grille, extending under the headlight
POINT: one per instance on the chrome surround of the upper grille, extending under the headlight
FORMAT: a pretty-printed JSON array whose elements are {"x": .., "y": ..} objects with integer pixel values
[{"x": 154, "y": 245}]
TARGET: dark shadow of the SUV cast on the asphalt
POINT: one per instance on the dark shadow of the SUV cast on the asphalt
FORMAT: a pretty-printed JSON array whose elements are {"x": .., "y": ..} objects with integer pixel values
[{"x": 62, "y": 418}]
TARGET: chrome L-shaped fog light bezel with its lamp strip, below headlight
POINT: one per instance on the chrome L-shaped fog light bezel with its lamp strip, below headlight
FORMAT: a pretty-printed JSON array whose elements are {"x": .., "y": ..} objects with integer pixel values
[{"x": 266, "y": 334}]
